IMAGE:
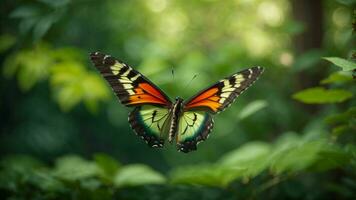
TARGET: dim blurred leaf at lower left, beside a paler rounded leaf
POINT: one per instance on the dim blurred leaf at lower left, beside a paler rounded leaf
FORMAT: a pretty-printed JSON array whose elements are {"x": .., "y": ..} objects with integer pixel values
[{"x": 73, "y": 168}]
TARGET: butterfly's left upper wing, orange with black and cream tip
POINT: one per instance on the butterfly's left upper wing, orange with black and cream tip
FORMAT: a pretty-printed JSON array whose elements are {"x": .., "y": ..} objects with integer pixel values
[{"x": 129, "y": 85}]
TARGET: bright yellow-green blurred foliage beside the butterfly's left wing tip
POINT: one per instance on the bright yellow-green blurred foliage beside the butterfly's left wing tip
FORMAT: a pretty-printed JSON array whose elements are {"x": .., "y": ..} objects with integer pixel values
[{"x": 70, "y": 81}]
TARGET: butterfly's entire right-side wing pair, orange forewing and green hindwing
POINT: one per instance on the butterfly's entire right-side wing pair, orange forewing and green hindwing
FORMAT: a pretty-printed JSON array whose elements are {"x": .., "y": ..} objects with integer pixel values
[{"x": 196, "y": 121}]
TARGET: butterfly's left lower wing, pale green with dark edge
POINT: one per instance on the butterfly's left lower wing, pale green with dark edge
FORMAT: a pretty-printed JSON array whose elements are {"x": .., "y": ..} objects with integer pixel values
[{"x": 150, "y": 123}]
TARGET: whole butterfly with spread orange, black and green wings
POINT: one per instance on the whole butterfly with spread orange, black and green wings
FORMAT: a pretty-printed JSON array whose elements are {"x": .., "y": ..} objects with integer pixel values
[{"x": 155, "y": 117}]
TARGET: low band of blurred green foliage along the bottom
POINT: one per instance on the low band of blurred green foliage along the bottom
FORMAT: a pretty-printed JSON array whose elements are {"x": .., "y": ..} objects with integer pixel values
[{"x": 105, "y": 177}]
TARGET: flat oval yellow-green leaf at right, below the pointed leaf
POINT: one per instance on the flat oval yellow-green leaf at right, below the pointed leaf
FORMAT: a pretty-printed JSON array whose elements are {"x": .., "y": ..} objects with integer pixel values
[{"x": 319, "y": 95}]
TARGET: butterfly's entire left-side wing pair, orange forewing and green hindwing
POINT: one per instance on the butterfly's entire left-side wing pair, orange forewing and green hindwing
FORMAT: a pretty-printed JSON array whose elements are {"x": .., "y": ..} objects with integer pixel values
[{"x": 152, "y": 105}]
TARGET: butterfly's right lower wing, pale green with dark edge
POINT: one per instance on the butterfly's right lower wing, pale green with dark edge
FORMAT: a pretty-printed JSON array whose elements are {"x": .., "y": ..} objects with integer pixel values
[{"x": 194, "y": 127}]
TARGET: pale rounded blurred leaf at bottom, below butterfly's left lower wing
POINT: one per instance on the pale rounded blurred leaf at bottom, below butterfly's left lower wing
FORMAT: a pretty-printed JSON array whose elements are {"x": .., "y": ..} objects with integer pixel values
[{"x": 137, "y": 174}]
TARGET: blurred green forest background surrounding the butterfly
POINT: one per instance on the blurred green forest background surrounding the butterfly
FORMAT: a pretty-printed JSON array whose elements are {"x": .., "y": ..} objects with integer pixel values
[{"x": 64, "y": 135}]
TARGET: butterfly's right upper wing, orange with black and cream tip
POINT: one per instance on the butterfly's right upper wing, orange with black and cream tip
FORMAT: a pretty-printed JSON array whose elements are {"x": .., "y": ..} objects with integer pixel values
[{"x": 220, "y": 95}]
